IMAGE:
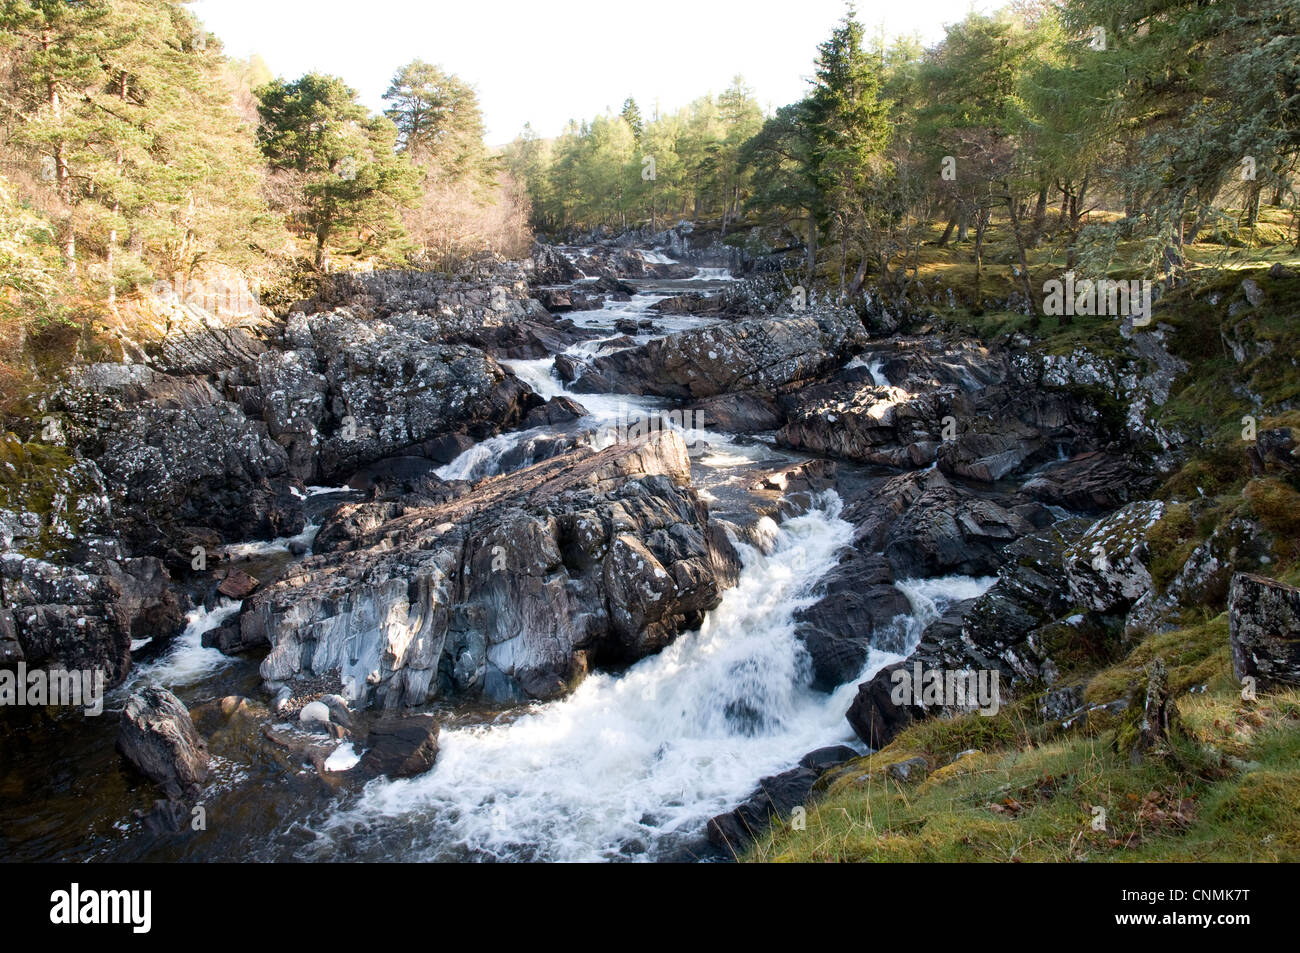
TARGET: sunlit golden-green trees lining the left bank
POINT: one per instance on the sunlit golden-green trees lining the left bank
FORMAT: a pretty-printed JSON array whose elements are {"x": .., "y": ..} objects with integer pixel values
[{"x": 133, "y": 150}]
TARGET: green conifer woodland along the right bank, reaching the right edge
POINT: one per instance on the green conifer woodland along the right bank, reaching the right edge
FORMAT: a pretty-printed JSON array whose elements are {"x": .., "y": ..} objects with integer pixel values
[{"x": 1098, "y": 122}]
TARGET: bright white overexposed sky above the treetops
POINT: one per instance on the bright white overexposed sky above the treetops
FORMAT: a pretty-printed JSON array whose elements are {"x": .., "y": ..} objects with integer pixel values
[{"x": 548, "y": 63}]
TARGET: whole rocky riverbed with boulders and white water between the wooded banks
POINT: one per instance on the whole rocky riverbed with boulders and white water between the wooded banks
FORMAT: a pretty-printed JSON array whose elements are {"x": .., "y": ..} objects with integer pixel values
[{"x": 603, "y": 556}]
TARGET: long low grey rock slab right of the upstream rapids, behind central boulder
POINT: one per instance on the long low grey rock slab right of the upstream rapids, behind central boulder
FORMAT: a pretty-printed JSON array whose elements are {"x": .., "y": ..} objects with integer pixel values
[{"x": 765, "y": 356}]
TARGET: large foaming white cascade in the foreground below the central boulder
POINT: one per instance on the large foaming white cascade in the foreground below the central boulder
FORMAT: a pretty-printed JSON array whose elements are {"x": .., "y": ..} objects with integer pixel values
[{"x": 632, "y": 765}]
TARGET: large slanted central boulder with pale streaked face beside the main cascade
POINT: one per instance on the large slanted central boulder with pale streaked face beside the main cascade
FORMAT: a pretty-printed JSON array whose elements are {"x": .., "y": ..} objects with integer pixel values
[{"x": 512, "y": 590}]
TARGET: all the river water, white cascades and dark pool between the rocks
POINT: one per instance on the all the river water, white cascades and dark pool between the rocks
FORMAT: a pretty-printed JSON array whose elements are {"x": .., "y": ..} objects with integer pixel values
[{"x": 630, "y": 766}]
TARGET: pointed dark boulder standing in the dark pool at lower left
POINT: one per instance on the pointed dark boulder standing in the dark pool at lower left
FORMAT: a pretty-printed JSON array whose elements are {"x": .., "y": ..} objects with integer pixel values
[{"x": 159, "y": 740}]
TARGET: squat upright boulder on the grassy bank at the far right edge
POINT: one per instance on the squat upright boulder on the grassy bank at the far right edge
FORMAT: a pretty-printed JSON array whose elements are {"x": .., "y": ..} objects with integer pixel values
[{"x": 1264, "y": 627}]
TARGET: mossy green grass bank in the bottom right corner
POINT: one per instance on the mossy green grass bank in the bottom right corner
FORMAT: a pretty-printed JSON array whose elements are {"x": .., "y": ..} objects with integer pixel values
[{"x": 1038, "y": 802}]
